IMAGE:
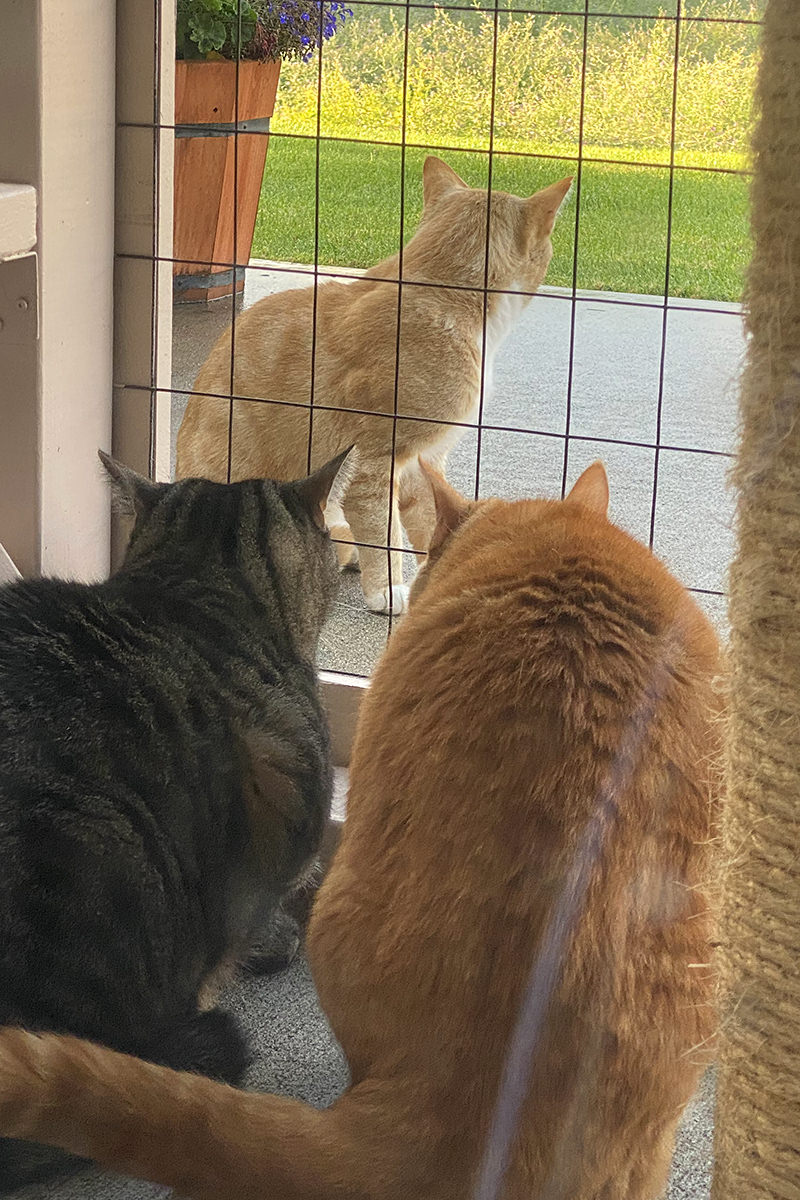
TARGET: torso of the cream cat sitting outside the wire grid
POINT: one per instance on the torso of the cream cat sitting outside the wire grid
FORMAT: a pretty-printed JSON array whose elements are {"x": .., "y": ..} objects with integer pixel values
[{"x": 351, "y": 332}]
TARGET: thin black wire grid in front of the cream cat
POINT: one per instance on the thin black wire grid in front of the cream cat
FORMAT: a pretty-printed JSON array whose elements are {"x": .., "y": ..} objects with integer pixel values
[{"x": 679, "y": 20}]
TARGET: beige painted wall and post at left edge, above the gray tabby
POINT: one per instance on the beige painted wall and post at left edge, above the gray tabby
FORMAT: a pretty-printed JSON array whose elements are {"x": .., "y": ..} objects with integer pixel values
[{"x": 58, "y": 97}]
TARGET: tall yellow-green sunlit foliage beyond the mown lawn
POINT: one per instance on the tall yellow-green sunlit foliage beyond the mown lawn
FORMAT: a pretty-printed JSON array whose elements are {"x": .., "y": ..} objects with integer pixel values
[{"x": 538, "y": 83}]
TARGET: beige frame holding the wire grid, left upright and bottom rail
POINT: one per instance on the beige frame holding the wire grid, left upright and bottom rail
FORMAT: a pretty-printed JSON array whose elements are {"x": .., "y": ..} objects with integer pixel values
[{"x": 146, "y": 58}]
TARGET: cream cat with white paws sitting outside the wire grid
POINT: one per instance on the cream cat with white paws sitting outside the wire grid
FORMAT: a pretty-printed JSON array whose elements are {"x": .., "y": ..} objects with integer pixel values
[{"x": 356, "y": 343}]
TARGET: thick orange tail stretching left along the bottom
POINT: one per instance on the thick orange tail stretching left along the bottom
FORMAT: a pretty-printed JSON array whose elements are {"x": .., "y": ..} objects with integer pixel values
[{"x": 204, "y": 1139}]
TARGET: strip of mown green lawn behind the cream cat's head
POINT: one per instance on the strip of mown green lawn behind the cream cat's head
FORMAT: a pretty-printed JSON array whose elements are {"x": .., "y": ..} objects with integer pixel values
[{"x": 623, "y": 227}]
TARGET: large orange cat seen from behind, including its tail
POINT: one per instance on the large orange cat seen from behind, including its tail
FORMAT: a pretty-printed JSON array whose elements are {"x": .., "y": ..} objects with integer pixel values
[{"x": 513, "y": 943}]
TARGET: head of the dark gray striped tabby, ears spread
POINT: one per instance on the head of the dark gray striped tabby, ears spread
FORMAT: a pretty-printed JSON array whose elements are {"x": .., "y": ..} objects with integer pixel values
[{"x": 270, "y": 535}]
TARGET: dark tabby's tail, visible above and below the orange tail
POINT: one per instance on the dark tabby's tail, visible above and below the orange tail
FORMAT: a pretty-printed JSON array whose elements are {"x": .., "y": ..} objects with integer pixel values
[{"x": 207, "y": 1043}]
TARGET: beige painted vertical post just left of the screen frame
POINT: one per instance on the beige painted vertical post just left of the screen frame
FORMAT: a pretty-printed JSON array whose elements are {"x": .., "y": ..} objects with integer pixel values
[{"x": 77, "y": 57}]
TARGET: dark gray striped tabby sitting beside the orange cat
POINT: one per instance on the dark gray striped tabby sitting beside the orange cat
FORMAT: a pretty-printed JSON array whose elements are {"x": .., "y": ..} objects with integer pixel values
[{"x": 165, "y": 773}]
